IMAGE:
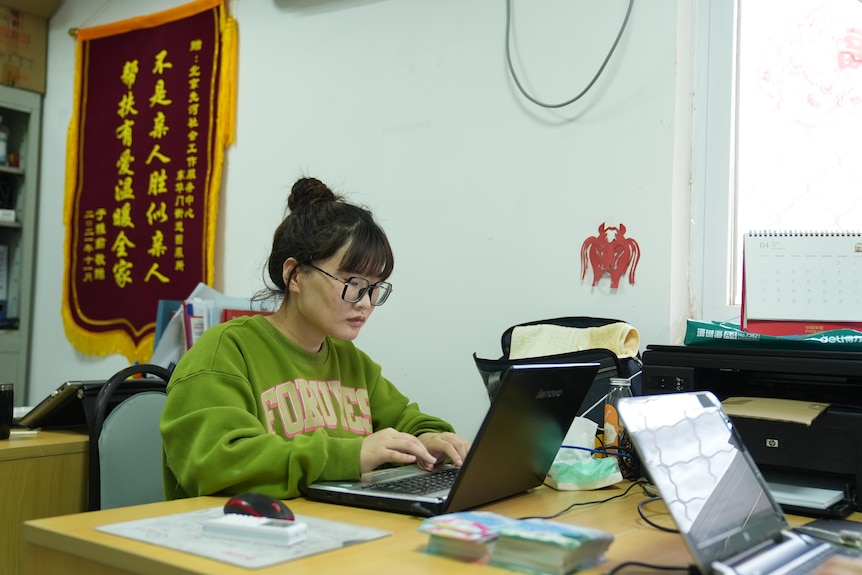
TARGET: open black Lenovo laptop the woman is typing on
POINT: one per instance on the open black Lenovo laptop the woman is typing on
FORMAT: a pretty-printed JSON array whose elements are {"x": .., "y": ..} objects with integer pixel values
[{"x": 512, "y": 452}]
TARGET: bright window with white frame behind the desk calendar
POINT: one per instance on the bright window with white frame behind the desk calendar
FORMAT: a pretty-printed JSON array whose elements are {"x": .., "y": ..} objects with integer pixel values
[{"x": 777, "y": 144}]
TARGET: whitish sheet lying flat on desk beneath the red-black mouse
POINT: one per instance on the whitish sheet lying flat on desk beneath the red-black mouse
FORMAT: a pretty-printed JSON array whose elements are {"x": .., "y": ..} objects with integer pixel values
[{"x": 184, "y": 532}]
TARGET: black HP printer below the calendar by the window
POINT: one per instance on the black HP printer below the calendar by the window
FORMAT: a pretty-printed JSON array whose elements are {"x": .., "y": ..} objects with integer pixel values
[{"x": 823, "y": 455}]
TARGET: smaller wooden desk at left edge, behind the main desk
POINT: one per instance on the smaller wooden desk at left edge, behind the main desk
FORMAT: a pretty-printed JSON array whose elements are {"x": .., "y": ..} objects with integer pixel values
[{"x": 41, "y": 475}]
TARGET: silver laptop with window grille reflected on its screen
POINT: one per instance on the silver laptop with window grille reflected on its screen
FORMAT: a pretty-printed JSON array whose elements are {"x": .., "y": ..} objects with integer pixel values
[{"x": 720, "y": 502}]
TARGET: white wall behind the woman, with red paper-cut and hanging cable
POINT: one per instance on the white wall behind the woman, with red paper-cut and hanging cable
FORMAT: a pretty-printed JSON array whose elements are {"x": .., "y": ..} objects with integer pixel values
[{"x": 407, "y": 107}]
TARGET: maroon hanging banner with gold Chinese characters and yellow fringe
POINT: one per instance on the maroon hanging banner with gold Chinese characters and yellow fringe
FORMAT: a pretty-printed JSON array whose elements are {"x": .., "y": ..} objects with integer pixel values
[{"x": 153, "y": 114}]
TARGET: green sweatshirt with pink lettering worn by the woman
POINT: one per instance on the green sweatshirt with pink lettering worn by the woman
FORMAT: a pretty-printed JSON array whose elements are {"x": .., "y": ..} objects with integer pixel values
[{"x": 249, "y": 410}]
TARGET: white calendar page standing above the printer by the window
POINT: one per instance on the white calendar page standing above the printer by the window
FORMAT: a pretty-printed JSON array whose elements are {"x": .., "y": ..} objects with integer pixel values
[{"x": 803, "y": 276}]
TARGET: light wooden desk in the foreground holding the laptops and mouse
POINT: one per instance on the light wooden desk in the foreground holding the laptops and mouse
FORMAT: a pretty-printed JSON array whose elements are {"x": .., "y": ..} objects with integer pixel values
[{"x": 71, "y": 544}]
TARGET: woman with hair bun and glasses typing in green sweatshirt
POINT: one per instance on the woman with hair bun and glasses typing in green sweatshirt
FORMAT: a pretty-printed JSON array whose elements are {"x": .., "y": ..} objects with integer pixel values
[{"x": 274, "y": 403}]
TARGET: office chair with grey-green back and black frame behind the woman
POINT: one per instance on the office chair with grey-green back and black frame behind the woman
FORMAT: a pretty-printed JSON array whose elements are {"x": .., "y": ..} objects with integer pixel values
[{"x": 125, "y": 444}]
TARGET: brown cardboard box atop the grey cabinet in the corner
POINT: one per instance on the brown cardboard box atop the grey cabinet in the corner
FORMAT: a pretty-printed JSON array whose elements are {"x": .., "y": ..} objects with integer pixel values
[{"x": 24, "y": 42}]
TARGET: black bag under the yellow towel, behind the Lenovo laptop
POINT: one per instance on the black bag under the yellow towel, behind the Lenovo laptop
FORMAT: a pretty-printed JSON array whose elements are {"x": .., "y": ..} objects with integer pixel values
[{"x": 610, "y": 365}]
